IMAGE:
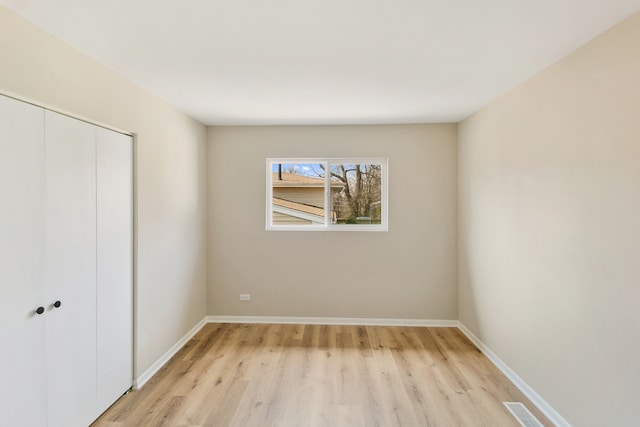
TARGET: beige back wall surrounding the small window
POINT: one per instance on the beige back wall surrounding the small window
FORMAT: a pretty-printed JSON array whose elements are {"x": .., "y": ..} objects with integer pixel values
[{"x": 408, "y": 272}]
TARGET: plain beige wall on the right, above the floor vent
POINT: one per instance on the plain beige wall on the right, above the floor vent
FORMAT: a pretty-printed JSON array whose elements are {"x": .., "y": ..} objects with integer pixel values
[{"x": 549, "y": 201}]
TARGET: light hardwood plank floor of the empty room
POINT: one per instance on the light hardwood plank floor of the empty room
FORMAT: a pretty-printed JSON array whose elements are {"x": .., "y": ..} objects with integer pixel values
[{"x": 312, "y": 375}]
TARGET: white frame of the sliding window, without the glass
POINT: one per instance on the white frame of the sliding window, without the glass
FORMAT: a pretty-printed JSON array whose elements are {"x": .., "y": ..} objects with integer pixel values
[{"x": 327, "y": 225}]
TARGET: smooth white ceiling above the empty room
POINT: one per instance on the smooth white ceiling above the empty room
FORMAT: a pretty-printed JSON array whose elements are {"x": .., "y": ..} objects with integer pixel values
[{"x": 239, "y": 62}]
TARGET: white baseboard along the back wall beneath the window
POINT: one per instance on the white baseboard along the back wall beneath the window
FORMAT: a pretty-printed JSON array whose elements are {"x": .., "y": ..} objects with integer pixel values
[{"x": 331, "y": 321}]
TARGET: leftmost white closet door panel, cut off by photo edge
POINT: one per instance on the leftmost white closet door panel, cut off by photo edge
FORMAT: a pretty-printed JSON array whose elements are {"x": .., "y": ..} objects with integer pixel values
[{"x": 22, "y": 357}]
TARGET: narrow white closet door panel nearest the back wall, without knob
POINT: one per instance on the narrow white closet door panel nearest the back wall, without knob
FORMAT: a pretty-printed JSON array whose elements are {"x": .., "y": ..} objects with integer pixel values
[{"x": 115, "y": 265}]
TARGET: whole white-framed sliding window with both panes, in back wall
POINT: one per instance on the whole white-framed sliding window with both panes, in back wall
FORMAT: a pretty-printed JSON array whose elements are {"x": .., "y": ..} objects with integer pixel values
[{"x": 327, "y": 194}]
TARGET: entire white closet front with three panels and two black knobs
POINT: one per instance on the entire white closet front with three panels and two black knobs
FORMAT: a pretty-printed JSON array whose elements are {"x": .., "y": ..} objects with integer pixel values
[{"x": 66, "y": 267}]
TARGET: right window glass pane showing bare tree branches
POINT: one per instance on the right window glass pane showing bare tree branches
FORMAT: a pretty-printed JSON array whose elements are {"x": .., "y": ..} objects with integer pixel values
[{"x": 356, "y": 193}]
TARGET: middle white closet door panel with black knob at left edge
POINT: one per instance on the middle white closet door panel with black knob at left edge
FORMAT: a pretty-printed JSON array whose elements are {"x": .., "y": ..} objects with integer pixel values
[{"x": 70, "y": 274}]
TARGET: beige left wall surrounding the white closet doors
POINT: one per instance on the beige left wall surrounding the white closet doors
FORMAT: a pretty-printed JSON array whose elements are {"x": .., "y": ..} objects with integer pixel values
[{"x": 171, "y": 220}]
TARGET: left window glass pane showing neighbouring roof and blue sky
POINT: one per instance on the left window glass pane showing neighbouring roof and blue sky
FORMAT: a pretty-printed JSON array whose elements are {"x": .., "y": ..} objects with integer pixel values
[{"x": 298, "y": 196}]
